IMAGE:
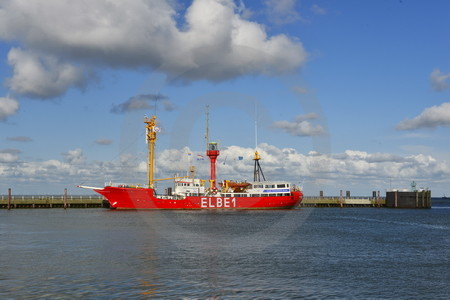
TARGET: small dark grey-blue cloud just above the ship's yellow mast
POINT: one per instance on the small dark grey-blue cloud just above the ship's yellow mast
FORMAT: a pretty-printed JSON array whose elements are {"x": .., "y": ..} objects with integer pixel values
[{"x": 142, "y": 102}]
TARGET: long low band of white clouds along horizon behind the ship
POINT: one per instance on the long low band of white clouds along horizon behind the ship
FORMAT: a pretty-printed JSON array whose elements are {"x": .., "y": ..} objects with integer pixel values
[{"x": 348, "y": 170}]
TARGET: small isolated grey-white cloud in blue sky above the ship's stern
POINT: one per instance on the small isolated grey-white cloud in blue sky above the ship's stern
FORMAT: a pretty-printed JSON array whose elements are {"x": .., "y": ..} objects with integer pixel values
[{"x": 301, "y": 126}]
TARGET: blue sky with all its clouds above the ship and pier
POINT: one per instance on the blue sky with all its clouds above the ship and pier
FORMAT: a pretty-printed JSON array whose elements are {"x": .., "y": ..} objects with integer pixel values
[{"x": 334, "y": 95}]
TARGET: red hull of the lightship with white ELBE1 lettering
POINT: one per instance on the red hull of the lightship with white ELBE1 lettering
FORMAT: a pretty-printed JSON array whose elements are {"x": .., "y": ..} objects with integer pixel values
[{"x": 142, "y": 198}]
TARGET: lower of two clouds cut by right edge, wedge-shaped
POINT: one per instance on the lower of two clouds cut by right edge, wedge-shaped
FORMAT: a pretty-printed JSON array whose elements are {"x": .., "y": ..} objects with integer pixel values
[{"x": 431, "y": 117}]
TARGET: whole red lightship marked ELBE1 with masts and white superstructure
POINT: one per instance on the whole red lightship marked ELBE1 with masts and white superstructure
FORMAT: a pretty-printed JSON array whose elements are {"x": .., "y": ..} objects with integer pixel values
[{"x": 193, "y": 193}]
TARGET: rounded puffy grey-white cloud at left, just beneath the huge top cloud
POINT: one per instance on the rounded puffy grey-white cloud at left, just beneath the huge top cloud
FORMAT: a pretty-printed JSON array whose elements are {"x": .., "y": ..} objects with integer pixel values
[{"x": 41, "y": 76}]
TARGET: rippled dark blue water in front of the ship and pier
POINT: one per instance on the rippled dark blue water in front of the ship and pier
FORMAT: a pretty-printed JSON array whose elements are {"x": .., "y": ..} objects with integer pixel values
[{"x": 306, "y": 253}]
